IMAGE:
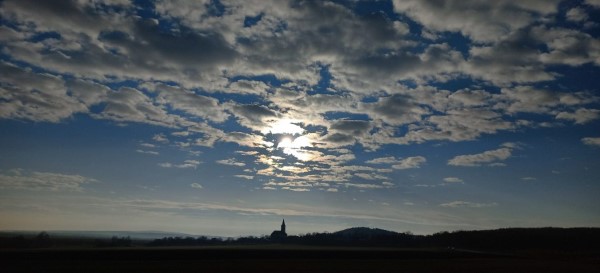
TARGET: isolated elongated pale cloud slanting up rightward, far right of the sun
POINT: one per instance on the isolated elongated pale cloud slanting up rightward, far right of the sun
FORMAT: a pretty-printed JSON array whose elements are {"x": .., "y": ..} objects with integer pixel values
[{"x": 487, "y": 157}]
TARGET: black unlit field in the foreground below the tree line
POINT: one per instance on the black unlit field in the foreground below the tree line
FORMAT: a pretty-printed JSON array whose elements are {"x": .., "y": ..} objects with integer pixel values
[{"x": 289, "y": 259}]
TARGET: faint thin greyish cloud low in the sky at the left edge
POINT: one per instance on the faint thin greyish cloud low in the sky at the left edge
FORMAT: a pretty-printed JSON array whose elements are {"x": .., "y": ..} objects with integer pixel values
[{"x": 43, "y": 181}]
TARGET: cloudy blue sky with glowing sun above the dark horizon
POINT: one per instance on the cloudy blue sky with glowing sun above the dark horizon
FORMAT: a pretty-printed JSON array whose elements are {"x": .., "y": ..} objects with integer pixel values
[{"x": 223, "y": 117}]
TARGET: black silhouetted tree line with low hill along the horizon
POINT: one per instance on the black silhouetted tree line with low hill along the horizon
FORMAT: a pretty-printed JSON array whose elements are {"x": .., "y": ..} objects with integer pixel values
[{"x": 500, "y": 239}]
